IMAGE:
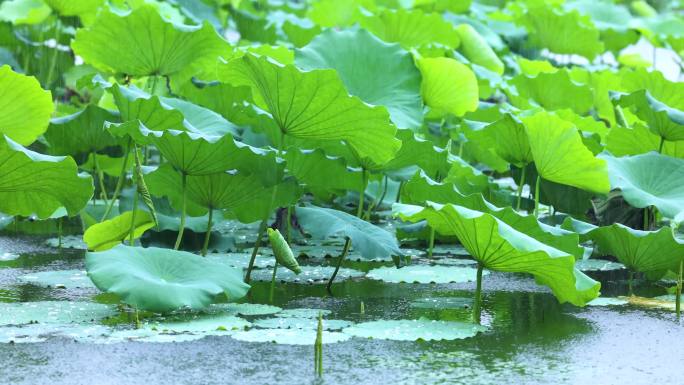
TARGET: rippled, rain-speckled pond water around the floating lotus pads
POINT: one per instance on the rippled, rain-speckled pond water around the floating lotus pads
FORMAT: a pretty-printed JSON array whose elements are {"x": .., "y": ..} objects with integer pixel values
[{"x": 530, "y": 338}]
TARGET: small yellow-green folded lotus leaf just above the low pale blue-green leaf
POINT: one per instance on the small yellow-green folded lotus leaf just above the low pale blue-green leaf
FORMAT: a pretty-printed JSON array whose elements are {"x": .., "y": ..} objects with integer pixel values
[{"x": 105, "y": 235}]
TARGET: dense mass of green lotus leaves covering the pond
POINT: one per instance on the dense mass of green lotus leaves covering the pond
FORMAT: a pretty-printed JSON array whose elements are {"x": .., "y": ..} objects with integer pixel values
[{"x": 532, "y": 134}]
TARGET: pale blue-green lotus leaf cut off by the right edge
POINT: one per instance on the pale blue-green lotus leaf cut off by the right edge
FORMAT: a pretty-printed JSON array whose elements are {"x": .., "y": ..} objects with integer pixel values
[{"x": 650, "y": 179}]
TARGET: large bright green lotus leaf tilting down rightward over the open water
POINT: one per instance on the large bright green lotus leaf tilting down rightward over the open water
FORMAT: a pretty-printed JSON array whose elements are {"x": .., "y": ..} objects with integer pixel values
[{"x": 498, "y": 246}]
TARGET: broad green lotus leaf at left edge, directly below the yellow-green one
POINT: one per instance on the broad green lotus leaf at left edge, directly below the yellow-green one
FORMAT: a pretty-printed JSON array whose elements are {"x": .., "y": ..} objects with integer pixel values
[{"x": 32, "y": 183}]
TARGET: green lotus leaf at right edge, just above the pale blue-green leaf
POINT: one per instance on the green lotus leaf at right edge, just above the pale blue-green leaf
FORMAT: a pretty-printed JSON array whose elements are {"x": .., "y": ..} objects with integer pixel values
[{"x": 663, "y": 120}]
